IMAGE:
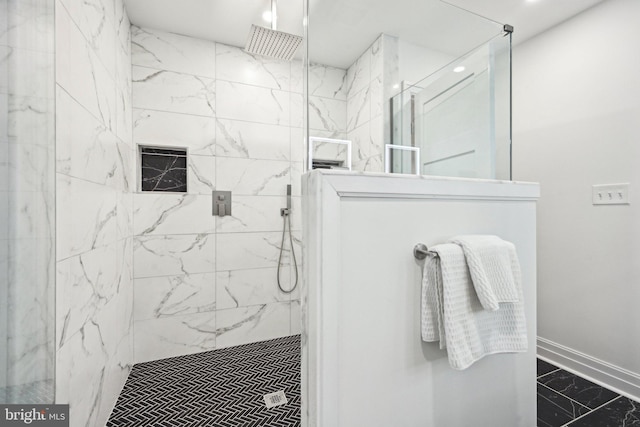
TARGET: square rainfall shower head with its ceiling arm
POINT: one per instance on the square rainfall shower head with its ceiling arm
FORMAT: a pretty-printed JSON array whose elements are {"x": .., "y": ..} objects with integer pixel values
[{"x": 271, "y": 42}]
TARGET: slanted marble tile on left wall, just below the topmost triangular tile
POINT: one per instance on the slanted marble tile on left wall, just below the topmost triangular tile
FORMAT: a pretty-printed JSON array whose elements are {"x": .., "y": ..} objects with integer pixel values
[{"x": 81, "y": 73}]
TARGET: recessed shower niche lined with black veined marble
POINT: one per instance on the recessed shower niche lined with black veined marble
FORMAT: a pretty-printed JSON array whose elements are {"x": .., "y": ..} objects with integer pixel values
[{"x": 163, "y": 169}]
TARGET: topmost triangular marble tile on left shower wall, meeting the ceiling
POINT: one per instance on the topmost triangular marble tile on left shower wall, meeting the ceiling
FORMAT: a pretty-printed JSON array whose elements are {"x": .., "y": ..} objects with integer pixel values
[{"x": 96, "y": 21}]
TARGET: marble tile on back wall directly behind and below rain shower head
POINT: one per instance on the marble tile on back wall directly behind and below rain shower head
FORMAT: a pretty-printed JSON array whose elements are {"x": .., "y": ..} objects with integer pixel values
[{"x": 235, "y": 65}]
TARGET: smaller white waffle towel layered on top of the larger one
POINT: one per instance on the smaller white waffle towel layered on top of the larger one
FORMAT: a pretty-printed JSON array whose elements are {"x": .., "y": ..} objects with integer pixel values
[{"x": 493, "y": 265}]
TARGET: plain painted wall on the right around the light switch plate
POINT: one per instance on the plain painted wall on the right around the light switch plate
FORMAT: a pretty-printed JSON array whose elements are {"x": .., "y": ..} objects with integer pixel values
[{"x": 576, "y": 123}]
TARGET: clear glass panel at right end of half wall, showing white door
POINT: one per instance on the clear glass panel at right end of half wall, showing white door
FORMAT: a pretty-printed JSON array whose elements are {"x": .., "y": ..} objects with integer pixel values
[{"x": 460, "y": 116}]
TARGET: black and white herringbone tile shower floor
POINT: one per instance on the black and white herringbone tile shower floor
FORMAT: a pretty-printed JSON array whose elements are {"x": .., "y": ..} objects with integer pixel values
[{"x": 219, "y": 388}]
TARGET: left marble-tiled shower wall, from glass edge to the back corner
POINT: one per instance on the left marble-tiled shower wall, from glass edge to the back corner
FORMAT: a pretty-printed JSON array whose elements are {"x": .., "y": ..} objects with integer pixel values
[{"x": 94, "y": 207}]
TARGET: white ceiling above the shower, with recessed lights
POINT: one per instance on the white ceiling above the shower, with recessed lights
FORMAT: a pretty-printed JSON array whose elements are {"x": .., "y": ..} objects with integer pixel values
[{"x": 342, "y": 29}]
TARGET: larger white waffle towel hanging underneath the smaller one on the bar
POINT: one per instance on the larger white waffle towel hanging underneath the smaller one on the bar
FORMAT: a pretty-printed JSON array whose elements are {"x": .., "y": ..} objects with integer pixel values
[{"x": 453, "y": 315}]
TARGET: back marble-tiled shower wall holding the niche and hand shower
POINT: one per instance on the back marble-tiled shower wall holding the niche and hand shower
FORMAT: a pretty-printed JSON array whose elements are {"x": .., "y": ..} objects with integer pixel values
[{"x": 201, "y": 281}]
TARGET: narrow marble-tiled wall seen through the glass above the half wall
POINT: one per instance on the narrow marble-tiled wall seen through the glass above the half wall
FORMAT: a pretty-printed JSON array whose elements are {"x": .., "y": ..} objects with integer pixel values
[{"x": 366, "y": 108}]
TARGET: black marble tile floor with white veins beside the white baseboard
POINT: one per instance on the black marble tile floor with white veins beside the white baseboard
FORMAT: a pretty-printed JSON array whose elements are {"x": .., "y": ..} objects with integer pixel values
[{"x": 565, "y": 399}]
